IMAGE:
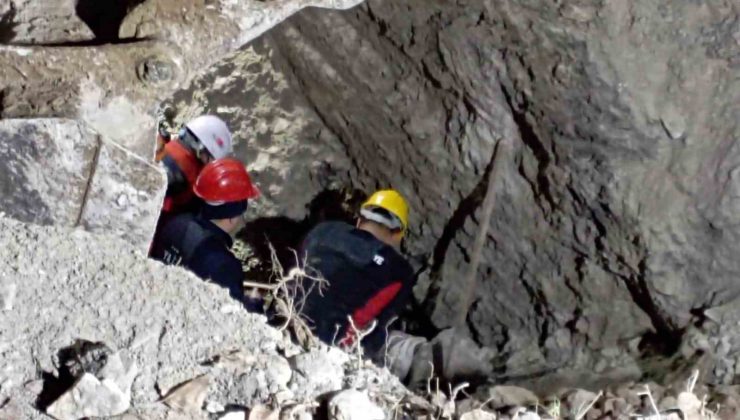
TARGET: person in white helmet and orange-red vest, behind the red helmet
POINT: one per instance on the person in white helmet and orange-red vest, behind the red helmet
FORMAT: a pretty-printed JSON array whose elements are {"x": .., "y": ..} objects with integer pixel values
[{"x": 200, "y": 141}]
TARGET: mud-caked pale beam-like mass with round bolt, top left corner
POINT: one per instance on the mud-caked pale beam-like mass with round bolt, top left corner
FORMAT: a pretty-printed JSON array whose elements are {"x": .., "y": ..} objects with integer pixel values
[{"x": 47, "y": 47}]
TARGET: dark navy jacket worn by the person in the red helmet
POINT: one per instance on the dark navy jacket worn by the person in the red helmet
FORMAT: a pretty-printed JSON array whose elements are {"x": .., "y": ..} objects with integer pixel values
[{"x": 201, "y": 247}]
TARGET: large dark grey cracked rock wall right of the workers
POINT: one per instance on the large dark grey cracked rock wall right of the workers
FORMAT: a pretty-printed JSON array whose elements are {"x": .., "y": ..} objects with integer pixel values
[{"x": 615, "y": 214}]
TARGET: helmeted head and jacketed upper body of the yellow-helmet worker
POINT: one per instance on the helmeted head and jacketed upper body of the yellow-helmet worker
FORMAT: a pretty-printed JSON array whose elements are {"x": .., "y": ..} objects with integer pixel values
[{"x": 368, "y": 278}]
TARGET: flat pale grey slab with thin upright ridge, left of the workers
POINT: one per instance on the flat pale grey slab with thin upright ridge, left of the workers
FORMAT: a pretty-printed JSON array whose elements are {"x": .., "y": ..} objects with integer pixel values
[{"x": 58, "y": 171}]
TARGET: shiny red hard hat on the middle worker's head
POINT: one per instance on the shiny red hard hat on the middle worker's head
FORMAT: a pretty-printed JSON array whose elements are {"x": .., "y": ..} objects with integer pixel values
[{"x": 225, "y": 181}]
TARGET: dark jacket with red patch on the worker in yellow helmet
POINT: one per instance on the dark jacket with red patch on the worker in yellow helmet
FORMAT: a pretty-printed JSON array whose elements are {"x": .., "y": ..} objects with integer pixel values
[{"x": 368, "y": 280}]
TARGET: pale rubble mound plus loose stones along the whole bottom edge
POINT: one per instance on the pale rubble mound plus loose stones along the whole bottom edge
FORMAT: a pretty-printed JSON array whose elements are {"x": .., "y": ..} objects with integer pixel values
[{"x": 90, "y": 328}]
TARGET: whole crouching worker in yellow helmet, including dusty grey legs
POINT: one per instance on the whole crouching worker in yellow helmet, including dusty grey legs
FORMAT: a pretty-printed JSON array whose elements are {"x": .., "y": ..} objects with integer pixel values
[{"x": 370, "y": 281}]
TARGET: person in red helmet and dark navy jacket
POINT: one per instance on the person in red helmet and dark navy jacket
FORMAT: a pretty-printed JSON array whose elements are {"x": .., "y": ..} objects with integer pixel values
[{"x": 201, "y": 242}]
